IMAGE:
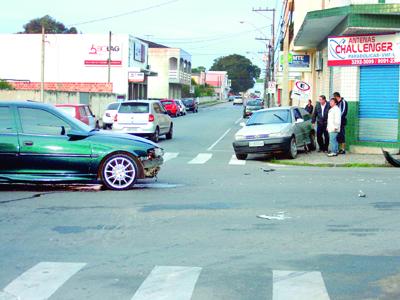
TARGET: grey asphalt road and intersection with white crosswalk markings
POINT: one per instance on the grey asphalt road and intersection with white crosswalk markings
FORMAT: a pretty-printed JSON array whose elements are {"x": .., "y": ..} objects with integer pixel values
[{"x": 194, "y": 233}]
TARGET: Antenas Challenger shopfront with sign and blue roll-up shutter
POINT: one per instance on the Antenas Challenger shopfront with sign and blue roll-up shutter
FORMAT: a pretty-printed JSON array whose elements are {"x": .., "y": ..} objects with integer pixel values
[{"x": 376, "y": 59}]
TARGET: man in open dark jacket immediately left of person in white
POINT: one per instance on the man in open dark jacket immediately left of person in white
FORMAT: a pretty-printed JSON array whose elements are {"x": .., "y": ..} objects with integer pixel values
[{"x": 320, "y": 116}]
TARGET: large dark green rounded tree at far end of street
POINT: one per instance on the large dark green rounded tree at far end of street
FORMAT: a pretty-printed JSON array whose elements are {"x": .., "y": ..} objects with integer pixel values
[{"x": 240, "y": 70}]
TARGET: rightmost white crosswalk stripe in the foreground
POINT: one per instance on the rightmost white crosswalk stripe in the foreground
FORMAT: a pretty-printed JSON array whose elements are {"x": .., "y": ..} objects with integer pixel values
[{"x": 299, "y": 285}]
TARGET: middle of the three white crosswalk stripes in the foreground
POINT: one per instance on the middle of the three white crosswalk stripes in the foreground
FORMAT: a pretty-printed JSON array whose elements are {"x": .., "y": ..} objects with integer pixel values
[{"x": 168, "y": 283}]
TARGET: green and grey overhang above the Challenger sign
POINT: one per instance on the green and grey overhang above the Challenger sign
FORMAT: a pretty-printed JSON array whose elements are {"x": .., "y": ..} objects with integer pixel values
[{"x": 347, "y": 20}]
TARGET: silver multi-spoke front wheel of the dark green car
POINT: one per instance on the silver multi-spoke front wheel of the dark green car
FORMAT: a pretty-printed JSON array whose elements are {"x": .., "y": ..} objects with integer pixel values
[{"x": 119, "y": 173}]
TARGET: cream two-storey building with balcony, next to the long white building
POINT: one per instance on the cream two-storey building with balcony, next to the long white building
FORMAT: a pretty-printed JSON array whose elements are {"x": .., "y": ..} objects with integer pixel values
[{"x": 173, "y": 67}]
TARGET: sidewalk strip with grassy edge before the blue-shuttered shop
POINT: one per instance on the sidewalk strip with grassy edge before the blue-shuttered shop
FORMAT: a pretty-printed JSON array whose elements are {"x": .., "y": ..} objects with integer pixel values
[{"x": 346, "y": 160}]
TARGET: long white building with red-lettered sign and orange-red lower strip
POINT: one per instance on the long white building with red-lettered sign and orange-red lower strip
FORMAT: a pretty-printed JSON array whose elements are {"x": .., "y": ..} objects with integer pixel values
[{"x": 76, "y": 63}]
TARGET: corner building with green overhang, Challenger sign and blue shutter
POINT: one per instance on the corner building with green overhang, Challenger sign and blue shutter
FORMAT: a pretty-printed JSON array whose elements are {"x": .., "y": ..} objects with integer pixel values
[{"x": 354, "y": 49}]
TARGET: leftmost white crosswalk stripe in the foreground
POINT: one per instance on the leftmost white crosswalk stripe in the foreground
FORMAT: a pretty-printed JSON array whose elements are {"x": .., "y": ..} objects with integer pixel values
[{"x": 42, "y": 280}]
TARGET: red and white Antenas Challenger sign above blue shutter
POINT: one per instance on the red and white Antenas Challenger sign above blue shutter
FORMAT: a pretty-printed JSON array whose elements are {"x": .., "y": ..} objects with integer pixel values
[{"x": 363, "y": 50}]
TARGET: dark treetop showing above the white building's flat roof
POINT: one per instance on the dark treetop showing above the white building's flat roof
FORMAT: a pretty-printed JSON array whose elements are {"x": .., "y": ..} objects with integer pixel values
[{"x": 50, "y": 26}]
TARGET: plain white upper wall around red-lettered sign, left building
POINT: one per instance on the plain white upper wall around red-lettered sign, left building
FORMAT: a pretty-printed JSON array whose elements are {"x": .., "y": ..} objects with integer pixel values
[{"x": 65, "y": 56}]
